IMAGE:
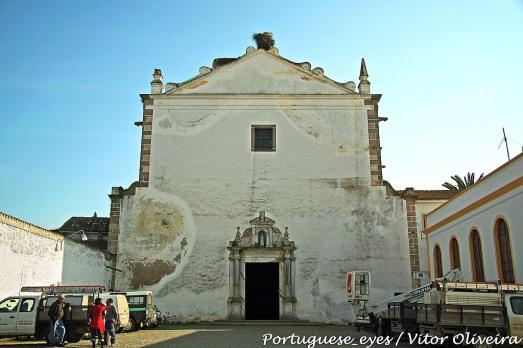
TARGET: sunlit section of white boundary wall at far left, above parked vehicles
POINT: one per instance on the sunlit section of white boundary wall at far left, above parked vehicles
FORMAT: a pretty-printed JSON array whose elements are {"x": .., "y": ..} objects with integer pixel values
[{"x": 27, "y": 258}]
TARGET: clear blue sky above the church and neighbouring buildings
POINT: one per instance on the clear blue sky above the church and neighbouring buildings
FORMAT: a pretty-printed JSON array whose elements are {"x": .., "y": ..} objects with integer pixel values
[{"x": 450, "y": 73}]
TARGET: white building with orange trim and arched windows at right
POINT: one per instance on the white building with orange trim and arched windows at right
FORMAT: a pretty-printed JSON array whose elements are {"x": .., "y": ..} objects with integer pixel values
[{"x": 480, "y": 231}]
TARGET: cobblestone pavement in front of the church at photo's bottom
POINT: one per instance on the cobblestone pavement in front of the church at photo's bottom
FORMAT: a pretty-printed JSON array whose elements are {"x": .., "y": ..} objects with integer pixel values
[{"x": 227, "y": 335}]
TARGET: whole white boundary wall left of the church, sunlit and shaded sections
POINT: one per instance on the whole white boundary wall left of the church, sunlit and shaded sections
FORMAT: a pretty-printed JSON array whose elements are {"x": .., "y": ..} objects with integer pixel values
[{"x": 31, "y": 256}]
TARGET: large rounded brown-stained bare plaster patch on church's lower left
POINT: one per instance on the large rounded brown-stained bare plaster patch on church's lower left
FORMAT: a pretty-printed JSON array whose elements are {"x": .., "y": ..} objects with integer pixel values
[{"x": 153, "y": 239}]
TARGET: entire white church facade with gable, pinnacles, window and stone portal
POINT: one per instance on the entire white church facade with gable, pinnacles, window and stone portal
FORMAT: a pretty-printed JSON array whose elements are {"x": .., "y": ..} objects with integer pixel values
[{"x": 260, "y": 186}]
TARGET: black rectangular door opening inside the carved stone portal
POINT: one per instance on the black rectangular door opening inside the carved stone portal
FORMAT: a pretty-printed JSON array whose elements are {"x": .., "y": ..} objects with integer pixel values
[{"x": 262, "y": 291}]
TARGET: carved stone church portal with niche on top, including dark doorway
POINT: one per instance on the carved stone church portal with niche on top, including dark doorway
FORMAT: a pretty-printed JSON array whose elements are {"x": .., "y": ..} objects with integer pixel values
[{"x": 261, "y": 273}]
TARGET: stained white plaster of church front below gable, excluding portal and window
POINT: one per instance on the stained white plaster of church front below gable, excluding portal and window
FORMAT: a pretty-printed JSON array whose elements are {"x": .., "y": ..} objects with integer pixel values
[{"x": 317, "y": 183}]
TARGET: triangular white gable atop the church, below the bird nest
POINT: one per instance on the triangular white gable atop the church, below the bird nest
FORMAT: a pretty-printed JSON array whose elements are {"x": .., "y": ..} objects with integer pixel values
[{"x": 261, "y": 72}]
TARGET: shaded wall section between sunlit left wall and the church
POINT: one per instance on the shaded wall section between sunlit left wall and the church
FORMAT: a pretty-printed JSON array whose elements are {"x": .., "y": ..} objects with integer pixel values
[{"x": 84, "y": 265}]
